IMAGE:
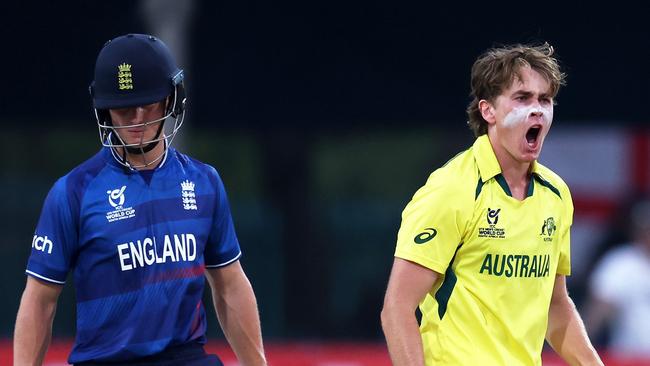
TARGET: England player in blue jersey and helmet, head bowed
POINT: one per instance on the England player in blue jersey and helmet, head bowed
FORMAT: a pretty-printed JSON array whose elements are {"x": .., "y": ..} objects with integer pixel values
[{"x": 140, "y": 226}]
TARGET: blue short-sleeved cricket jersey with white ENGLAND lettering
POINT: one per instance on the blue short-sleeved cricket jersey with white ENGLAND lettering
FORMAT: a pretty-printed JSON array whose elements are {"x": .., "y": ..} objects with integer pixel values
[{"x": 138, "y": 244}]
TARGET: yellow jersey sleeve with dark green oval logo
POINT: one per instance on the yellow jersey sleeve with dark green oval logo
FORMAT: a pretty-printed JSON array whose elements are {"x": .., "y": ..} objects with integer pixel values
[{"x": 433, "y": 225}]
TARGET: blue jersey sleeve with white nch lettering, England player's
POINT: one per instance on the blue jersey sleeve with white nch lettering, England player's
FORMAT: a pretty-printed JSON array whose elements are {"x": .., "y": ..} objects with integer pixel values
[{"x": 55, "y": 238}]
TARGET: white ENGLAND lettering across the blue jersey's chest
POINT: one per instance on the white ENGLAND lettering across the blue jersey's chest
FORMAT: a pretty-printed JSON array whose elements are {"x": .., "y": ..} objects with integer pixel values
[{"x": 143, "y": 252}]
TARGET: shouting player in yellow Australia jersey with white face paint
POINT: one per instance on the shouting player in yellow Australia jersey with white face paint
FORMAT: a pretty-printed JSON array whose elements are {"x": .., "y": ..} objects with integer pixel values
[{"x": 483, "y": 248}]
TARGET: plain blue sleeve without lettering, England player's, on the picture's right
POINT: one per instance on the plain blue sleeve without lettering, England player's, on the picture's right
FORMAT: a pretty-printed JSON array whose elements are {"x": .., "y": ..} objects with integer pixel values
[{"x": 222, "y": 247}]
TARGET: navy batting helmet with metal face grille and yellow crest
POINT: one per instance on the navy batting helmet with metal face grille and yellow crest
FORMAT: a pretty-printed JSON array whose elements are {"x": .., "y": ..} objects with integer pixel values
[{"x": 135, "y": 70}]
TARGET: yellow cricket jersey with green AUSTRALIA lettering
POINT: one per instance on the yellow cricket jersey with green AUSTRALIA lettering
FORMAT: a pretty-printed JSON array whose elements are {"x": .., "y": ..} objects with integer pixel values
[{"x": 498, "y": 257}]
